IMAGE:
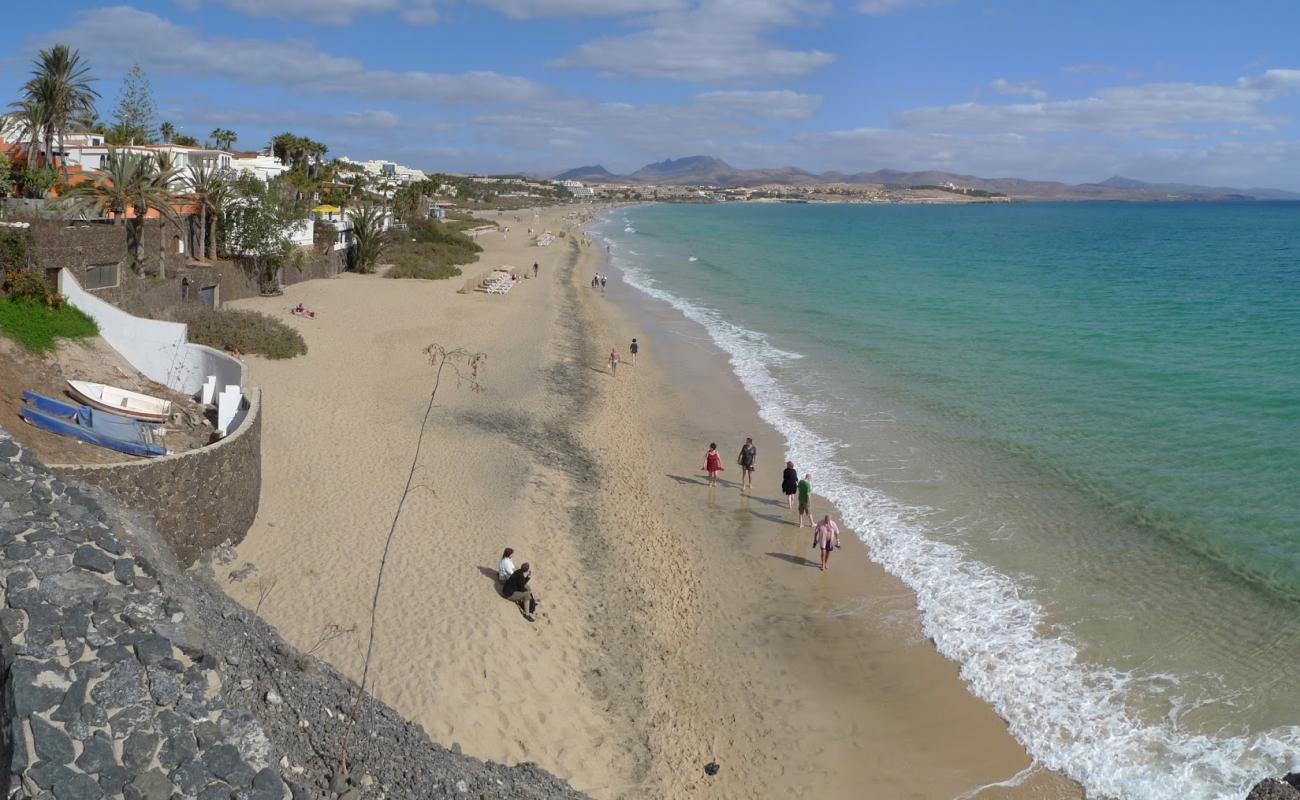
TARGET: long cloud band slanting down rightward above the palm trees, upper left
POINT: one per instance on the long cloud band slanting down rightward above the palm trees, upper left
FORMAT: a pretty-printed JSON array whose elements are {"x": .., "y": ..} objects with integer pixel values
[{"x": 166, "y": 47}]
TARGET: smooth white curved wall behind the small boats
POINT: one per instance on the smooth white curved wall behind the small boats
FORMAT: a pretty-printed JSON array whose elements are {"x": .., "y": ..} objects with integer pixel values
[{"x": 158, "y": 351}]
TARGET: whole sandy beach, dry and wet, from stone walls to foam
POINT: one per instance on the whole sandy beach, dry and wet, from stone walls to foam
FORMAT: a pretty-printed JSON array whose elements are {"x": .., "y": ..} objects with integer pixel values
[{"x": 681, "y": 625}]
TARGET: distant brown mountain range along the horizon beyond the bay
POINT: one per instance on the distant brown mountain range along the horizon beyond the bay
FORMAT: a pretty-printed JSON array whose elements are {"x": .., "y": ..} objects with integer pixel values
[{"x": 709, "y": 171}]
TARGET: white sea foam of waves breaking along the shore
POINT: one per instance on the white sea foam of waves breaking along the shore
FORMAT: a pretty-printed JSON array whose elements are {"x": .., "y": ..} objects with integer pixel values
[{"x": 1071, "y": 716}]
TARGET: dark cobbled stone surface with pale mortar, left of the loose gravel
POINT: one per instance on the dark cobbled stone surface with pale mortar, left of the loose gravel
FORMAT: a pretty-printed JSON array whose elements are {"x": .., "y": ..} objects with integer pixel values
[{"x": 106, "y": 691}]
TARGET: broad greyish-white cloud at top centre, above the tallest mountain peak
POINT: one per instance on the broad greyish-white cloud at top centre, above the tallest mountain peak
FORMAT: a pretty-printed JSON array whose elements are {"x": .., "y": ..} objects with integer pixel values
[{"x": 720, "y": 41}]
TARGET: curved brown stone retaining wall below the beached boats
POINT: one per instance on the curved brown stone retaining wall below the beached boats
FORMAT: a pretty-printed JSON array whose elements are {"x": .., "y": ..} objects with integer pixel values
[{"x": 200, "y": 499}]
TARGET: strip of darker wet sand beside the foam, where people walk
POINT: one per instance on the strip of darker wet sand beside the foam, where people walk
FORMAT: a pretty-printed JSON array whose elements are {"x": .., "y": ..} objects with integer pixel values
[{"x": 837, "y": 619}]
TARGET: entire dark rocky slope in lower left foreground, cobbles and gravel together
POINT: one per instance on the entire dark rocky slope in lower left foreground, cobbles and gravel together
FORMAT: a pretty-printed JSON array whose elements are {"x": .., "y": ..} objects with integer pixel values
[{"x": 125, "y": 677}]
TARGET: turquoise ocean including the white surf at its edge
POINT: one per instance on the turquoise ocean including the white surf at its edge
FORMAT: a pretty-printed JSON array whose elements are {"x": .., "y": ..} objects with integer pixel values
[{"x": 1073, "y": 430}]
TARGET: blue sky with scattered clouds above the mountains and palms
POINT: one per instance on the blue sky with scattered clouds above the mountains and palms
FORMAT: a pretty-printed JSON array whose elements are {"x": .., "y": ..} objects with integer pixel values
[{"x": 1069, "y": 90}]
